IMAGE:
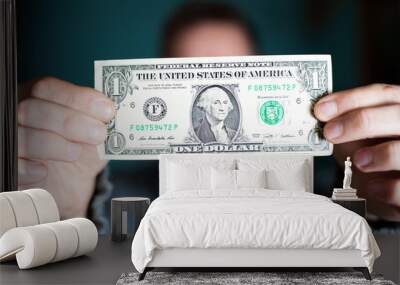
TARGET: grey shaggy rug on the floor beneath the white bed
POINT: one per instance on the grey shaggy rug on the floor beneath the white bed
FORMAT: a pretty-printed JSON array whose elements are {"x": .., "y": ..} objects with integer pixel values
[{"x": 242, "y": 278}]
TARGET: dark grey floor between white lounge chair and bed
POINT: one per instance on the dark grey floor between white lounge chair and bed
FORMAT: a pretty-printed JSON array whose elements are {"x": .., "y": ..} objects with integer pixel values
[{"x": 102, "y": 266}]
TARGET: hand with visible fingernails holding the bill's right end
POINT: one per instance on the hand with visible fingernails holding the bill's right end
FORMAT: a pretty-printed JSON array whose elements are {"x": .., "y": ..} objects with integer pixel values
[{"x": 365, "y": 123}]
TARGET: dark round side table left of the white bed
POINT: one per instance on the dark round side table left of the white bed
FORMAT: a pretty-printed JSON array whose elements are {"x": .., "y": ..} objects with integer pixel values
[{"x": 127, "y": 211}]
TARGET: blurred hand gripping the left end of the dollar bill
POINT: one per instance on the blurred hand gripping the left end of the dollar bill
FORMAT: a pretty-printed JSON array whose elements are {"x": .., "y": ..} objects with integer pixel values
[{"x": 59, "y": 126}]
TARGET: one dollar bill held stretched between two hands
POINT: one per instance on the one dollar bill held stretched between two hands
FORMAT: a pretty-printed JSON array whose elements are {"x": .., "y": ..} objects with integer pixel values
[{"x": 214, "y": 105}]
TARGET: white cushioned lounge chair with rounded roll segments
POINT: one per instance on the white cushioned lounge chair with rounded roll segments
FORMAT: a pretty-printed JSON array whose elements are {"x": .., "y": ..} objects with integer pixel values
[{"x": 31, "y": 231}]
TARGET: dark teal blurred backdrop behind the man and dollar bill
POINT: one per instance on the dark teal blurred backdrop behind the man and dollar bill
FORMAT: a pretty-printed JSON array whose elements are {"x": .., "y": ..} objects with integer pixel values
[{"x": 63, "y": 38}]
